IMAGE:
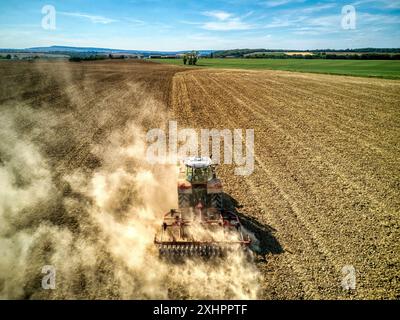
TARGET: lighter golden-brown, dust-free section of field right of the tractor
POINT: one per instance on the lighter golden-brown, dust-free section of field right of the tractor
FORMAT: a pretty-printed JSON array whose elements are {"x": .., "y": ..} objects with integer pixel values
[{"x": 325, "y": 192}]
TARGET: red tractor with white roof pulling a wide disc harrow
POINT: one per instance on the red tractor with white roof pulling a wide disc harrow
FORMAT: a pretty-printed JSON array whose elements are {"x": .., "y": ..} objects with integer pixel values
[{"x": 201, "y": 226}]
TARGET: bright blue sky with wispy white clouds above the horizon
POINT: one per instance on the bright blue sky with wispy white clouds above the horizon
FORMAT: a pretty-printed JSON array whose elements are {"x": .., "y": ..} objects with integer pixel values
[{"x": 205, "y": 24}]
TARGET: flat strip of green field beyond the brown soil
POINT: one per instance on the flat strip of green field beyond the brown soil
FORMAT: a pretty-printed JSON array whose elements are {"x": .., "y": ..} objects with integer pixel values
[{"x": 389, "y": 69}]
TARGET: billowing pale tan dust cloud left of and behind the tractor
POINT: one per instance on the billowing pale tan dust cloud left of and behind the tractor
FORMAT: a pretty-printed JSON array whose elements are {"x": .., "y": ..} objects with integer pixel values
[{"x": 94, "y": 223}]
